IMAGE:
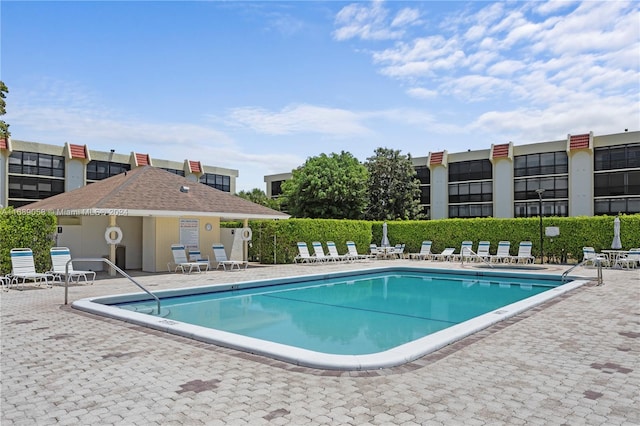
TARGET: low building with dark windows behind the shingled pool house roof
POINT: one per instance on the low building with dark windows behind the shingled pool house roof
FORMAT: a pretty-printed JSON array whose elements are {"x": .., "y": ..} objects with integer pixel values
[{"x": 32, "y": 171}]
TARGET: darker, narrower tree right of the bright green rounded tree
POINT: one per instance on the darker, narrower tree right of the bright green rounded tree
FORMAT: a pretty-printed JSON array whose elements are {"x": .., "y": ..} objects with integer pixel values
[{"x": 394, "y": 190}]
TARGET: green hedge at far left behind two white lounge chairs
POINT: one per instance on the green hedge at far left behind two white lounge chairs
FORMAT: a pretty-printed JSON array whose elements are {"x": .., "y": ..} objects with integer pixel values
[{"x": 29, "y": 230}]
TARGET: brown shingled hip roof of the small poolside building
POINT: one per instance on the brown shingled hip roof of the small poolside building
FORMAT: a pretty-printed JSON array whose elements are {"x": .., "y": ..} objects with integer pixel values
[{"x": 149, "y": 191}]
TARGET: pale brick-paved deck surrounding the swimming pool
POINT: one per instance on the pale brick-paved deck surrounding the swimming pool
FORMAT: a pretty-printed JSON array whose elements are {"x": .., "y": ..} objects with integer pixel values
[{"x": 573, "y": 360}]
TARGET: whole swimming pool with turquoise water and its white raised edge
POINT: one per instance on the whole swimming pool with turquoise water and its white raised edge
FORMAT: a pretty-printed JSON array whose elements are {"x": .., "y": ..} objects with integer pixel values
[{"x": 351, "y": 320}]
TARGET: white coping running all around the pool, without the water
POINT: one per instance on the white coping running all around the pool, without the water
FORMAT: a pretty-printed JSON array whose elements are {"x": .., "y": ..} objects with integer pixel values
[{"x": 302, "y": 357}]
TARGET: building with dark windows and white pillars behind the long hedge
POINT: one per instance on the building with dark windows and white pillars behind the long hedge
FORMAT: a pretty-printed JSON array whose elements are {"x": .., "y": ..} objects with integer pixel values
[{"x": 582, "y": 175}]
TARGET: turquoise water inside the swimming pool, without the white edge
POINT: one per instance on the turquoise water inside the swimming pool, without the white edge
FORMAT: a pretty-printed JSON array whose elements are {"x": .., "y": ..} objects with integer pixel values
[{"x": 352, "y": 315}]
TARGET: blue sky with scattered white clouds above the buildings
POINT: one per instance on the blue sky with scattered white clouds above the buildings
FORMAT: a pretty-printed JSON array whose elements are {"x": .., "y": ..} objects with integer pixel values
[{"x": 261, "y": 86}]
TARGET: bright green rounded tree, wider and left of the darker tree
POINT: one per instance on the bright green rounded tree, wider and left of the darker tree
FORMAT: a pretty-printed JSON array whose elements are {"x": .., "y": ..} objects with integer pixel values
[{"x": 327, "y": 187}]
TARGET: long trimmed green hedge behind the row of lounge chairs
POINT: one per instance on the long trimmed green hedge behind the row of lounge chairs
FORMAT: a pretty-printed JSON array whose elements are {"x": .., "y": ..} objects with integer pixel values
[{"x": 278, "y": 238}]
